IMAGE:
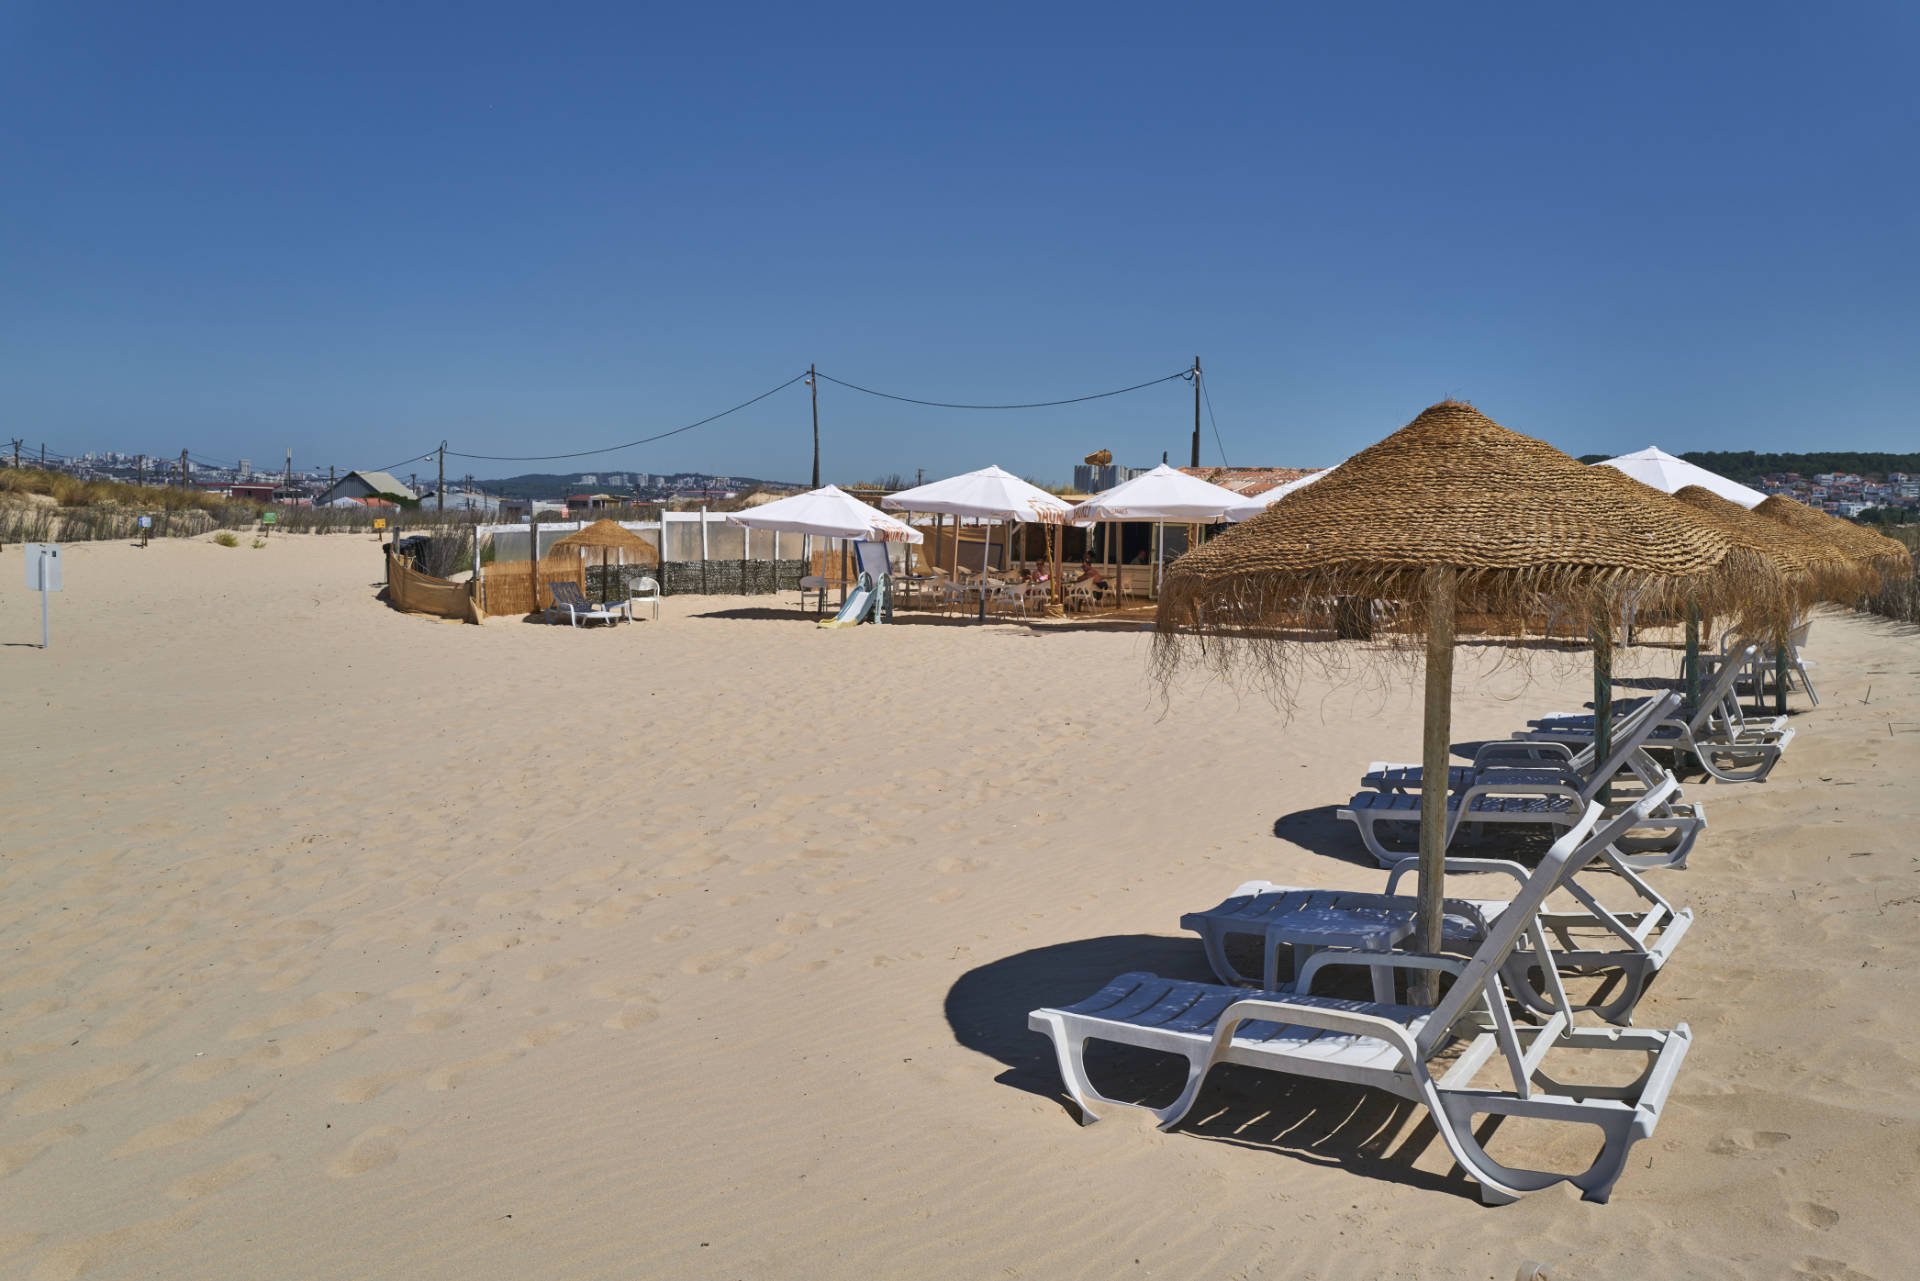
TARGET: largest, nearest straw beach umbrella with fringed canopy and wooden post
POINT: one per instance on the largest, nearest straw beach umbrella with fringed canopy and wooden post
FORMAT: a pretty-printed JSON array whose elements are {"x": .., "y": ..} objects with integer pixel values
[{"x": 1449, "y": 510}]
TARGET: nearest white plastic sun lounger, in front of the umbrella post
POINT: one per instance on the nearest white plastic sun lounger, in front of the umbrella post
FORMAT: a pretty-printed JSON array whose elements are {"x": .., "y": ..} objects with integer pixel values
[{"x": 1395, "y": 1048}]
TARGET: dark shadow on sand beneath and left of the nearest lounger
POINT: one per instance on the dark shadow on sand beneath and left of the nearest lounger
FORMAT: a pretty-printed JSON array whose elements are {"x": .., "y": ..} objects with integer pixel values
[{"x": 1322, "y": 1123}]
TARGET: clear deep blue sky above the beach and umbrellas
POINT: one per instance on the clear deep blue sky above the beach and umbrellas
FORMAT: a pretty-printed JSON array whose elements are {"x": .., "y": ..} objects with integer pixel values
[{"x": 358, "y": 230}]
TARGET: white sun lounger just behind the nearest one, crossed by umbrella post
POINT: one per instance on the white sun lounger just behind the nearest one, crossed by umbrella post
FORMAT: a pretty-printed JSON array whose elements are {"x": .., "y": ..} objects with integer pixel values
[{"x": 1631, "y": 944}]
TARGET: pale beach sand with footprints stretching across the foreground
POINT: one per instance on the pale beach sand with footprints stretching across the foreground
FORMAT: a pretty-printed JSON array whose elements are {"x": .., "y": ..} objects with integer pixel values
[{"x": 347, "y": 944}]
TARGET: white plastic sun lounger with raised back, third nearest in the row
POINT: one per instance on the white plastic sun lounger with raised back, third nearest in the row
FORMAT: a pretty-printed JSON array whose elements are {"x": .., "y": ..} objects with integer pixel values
[{"x": 1541, "y": 794}]
